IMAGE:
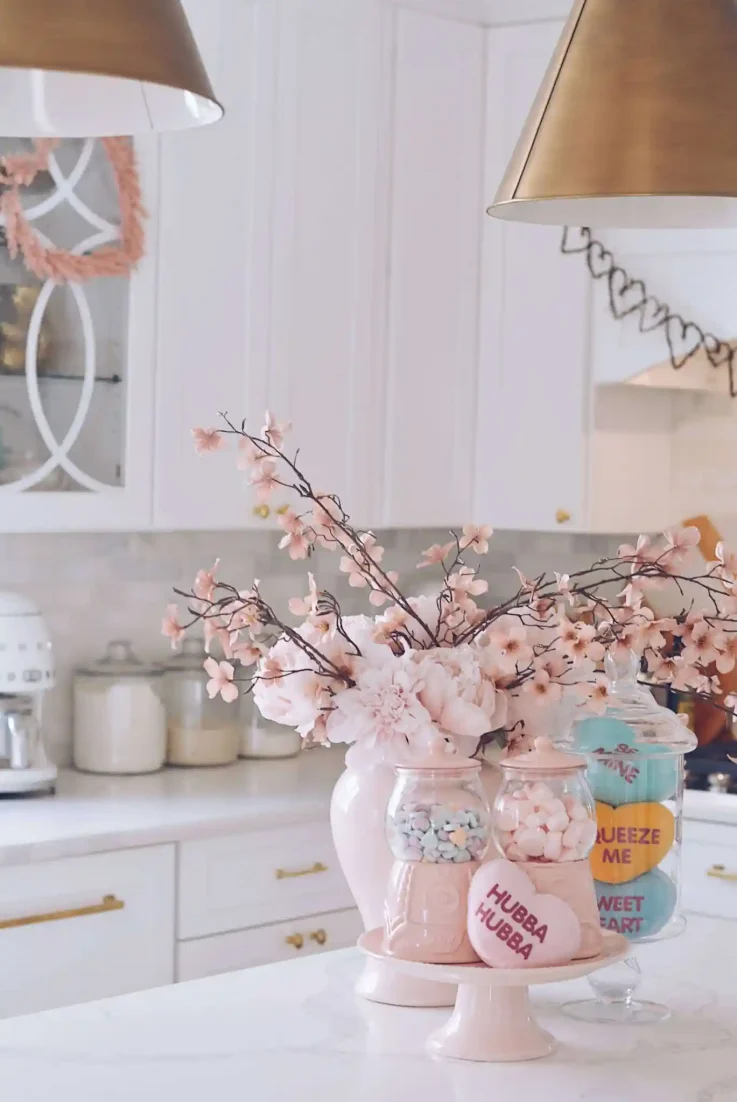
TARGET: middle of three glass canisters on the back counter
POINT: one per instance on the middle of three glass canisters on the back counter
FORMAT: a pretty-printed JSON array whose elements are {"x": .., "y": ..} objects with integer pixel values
[{"x": 201, "y": 731}]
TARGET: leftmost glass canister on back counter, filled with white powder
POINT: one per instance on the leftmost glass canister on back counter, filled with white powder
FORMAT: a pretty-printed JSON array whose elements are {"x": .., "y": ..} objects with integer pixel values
[{"x": 120, "y": 717}]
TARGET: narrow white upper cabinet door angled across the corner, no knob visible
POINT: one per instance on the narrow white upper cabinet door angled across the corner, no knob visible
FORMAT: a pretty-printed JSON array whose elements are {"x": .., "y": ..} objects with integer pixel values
[{"x": 437, "y": 218}]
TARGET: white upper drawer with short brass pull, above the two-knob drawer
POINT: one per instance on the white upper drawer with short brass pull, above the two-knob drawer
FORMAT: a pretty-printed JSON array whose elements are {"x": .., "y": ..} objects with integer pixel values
[{"x": 252, "y": 880}]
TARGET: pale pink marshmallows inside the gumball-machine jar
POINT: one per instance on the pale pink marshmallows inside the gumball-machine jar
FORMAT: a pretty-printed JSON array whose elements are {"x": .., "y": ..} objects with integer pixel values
[{"x": 535, "y": 825}]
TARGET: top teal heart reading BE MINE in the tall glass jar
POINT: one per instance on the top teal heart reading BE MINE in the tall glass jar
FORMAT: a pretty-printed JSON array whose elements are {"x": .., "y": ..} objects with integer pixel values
[{"x": 626, "y": 773}]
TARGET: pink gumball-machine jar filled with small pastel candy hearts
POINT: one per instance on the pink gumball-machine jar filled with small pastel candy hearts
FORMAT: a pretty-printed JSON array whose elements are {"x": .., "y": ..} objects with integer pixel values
[{"x": 438, "y": 826}]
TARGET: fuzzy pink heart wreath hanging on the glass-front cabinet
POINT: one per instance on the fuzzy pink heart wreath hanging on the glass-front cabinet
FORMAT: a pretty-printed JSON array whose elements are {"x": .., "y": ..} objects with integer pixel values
[{"x": 20, "y": 170}]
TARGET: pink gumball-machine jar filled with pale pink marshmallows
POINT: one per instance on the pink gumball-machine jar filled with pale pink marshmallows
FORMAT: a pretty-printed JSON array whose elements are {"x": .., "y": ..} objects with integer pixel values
[{"x": 545, "y": 819}]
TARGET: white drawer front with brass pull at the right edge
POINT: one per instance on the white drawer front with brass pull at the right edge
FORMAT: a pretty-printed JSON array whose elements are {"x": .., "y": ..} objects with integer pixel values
[{"x": 710, "y": 876}]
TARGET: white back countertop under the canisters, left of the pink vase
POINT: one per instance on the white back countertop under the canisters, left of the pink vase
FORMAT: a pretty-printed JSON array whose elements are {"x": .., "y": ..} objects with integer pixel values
[{"x": 94, "y": 815}]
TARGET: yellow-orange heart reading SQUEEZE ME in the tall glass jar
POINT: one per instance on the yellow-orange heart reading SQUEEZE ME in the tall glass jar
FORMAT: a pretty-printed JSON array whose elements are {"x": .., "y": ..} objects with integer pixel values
[{"x": 631, "y": 841}]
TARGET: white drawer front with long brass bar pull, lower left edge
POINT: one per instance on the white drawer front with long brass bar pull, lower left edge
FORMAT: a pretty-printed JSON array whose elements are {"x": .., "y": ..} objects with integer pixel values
[{"x": 83, "y": 944}]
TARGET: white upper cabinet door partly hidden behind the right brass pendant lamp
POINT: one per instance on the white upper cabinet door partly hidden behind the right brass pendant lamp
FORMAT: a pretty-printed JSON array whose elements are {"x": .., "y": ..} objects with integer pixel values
[{"x": 534, "y": 395}]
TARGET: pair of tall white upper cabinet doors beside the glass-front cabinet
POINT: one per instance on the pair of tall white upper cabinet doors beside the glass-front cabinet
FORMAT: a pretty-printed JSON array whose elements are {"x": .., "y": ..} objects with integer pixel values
[{"x": 268, "y": 294}]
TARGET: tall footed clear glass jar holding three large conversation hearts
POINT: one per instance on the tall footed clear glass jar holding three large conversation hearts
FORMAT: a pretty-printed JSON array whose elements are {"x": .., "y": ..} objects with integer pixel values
[{"x": 635, "y": 754}]
